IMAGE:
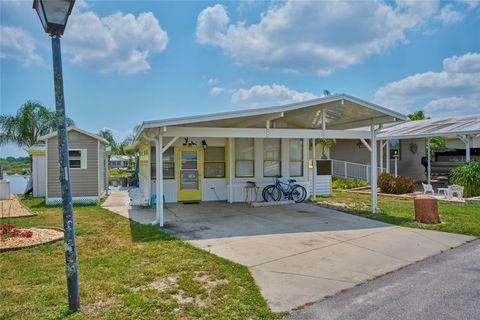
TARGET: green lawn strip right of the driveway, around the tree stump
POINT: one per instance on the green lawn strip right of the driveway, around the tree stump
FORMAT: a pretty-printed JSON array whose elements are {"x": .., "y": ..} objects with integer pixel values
[{"x": 456, "y": 217}]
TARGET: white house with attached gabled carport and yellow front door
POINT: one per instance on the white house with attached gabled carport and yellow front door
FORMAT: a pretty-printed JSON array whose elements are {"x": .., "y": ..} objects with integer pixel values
[{"x": 212, "y": 157}]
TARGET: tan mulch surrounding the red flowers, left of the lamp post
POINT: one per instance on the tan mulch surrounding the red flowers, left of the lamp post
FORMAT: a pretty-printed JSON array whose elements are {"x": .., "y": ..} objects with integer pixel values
[{"x": 40, "y": 236}]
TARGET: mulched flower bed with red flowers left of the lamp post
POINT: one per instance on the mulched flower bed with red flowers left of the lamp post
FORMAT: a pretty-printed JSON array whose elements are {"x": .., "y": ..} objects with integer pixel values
[{"x": 13, "y": 238}]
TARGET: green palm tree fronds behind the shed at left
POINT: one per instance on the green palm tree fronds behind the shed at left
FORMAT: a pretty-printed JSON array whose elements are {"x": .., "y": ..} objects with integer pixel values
[{"x": 32, "y": 121}]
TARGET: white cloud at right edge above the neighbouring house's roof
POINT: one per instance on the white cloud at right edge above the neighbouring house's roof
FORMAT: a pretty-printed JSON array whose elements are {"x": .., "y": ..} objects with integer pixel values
[{"x": 453, "y": 91}]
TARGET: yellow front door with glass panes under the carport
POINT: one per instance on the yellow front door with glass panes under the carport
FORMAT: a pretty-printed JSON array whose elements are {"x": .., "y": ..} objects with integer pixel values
[{"x": 189, "y": 174}]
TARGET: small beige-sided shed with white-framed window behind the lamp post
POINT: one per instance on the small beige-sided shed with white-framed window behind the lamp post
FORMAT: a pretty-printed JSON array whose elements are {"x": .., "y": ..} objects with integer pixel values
[{"x": 88, "y": 167}]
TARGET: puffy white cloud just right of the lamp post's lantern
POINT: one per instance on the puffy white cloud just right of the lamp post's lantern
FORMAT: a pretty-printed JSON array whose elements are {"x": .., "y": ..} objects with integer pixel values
[{"x": 120, "y": 43}]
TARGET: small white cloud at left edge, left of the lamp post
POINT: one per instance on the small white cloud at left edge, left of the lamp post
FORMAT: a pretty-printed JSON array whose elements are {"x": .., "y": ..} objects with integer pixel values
[{"x": 17, "y": 44}]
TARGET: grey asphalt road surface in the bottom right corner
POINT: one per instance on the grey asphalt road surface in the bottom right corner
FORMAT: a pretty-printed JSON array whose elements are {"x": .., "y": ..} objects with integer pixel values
[{"x": 443, "y": 287}]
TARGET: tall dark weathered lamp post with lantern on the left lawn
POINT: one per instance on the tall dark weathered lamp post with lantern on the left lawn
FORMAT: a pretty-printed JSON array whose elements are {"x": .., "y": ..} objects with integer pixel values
[{"x": 53, "y": 15}]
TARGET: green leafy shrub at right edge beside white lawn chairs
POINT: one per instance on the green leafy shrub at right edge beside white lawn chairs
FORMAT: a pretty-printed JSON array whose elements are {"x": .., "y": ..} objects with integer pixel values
[{"x": 467, "y": 176}]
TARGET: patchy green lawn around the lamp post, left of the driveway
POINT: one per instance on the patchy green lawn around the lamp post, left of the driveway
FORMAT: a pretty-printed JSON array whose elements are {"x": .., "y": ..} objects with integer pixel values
[{"x": 126, "y": 271}]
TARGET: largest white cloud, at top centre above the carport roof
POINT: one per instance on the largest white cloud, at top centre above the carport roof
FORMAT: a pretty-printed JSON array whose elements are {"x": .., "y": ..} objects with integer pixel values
[{"x": 313, "y": 36}]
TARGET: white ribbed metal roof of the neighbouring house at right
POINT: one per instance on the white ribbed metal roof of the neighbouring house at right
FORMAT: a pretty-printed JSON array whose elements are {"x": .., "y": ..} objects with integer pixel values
[{"x": 444, "y": 127}]
